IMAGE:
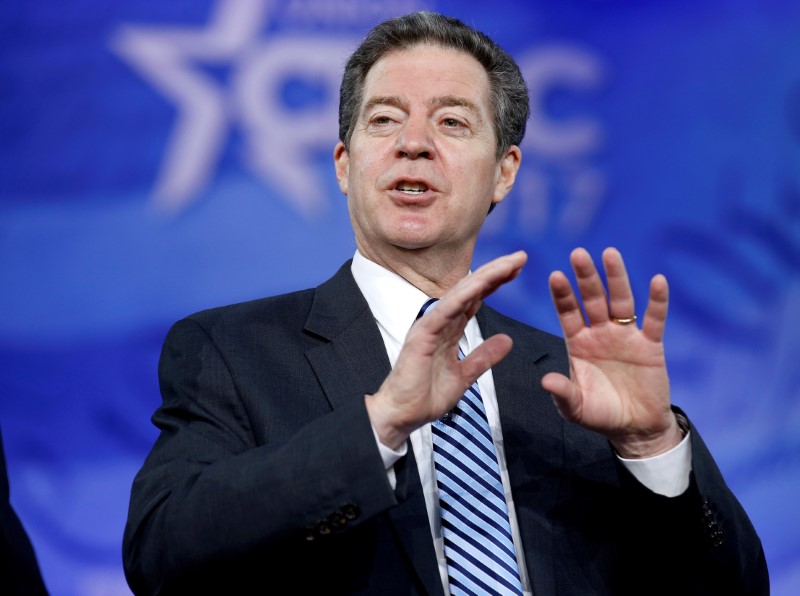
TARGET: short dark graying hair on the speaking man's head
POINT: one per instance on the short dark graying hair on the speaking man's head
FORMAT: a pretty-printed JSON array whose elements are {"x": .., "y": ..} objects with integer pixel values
[{"x": 508, "y": 92}]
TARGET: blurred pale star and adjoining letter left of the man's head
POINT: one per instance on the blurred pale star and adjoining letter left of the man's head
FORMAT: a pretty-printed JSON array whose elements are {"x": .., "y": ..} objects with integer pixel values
[{"x": 279, "y": 140}]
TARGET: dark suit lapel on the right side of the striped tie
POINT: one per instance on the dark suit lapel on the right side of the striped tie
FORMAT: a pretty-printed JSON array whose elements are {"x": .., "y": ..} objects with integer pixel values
[{"x": 533, "y": 441}]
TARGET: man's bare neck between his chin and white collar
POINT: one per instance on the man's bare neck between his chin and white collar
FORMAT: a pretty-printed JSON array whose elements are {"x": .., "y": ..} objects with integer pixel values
[{"x": 431, "y": 271}]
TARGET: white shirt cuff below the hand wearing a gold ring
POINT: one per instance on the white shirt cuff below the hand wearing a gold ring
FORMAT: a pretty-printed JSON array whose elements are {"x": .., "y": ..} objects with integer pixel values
[{"x": 666, "y": 474}]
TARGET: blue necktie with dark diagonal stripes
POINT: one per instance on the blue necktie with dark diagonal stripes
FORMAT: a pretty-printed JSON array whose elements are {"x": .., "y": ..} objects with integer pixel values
[{"x": 477, "y": 534}]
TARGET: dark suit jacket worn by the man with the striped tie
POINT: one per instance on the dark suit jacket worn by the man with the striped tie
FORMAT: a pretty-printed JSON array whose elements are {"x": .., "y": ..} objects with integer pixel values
[{"x": 266, "y": 476}]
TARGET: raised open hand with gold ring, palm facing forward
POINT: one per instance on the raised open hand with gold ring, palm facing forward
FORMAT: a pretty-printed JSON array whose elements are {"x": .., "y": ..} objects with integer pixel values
[{"x": 619, "y": 385}]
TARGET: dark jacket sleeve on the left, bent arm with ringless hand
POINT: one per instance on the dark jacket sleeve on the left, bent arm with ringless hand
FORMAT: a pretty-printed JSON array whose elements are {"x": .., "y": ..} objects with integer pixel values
[{"x": 209, "y": 492}]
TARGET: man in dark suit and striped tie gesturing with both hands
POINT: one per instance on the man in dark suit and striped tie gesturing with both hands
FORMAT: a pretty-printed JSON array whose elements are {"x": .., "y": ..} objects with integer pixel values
[{"x": 301, "y": 445}]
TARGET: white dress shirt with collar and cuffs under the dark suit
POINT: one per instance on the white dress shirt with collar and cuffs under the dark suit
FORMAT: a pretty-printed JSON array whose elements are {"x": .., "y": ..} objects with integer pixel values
[{"x": 395, "y": 304}]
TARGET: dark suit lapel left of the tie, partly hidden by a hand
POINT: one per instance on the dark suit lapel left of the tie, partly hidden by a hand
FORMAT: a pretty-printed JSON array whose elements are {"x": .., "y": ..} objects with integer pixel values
[{"x": 350, "y": 363}]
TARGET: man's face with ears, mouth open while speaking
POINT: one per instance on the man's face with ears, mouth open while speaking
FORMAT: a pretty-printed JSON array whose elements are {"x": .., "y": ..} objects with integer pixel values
[{"x": 421, "y": 171}]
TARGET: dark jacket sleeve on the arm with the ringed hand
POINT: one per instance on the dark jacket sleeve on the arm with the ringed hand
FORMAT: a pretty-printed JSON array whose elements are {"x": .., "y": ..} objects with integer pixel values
[{"x": 701, "y": 542}]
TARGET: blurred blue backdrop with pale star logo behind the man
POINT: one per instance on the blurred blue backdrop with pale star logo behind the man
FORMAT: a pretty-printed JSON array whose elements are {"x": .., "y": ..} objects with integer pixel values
[{"x": 158, "y": 158}]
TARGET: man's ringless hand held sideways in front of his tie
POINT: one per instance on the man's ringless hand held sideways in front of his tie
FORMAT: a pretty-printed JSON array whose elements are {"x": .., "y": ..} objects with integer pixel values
[{"x": 428, "y": 379}]
